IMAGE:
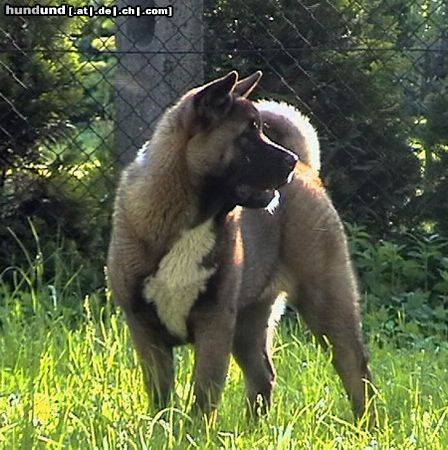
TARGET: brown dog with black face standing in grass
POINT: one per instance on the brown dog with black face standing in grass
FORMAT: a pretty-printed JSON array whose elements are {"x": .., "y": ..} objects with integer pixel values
[{"x": 221, "y": 211}]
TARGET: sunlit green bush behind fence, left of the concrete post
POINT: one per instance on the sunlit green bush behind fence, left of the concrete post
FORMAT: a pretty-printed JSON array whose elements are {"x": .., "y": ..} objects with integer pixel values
[{"x": 55, "y": 140}]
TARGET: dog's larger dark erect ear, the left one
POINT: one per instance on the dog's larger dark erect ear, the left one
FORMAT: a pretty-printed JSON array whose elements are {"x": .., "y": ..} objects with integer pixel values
[{"x": 215, "y": 98}]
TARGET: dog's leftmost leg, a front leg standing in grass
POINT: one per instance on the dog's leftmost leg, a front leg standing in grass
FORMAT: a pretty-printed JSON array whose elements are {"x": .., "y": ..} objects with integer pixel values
[{"x": 156, "y": 358}]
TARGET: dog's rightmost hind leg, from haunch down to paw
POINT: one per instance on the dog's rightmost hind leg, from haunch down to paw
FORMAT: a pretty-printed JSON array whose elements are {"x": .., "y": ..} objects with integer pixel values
[{"x": 315, "y": 257}]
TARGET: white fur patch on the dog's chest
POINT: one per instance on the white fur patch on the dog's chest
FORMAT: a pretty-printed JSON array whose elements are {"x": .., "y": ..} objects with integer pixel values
[{"x": 181, "y": 277}]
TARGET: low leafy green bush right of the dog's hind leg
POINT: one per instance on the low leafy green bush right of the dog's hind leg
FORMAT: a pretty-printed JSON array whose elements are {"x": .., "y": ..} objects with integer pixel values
[{"x": 404, "y": 282}]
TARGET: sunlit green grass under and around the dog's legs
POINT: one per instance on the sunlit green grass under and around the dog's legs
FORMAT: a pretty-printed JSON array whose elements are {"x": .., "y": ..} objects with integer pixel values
[{"x": 69, "y": 378}]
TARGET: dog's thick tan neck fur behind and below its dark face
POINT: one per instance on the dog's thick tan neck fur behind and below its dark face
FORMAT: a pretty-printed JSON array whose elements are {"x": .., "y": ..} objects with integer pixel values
[{"x": 160, "y": 196}]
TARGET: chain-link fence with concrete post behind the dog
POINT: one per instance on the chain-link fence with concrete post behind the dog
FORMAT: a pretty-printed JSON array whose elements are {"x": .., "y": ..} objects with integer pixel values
[{"x": 80, "y": 94}]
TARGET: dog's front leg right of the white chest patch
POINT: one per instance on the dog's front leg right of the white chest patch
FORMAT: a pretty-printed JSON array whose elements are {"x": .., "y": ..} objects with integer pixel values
[{"x": 213, "y": 318}]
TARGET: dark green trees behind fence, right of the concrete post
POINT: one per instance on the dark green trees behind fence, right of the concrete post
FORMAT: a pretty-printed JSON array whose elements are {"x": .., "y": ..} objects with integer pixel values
[{"x": 373, "y": 76}]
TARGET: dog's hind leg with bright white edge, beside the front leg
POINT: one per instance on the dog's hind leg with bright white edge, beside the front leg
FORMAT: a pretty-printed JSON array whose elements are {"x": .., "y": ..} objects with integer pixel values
[{"x": 252, "y": 347}]
